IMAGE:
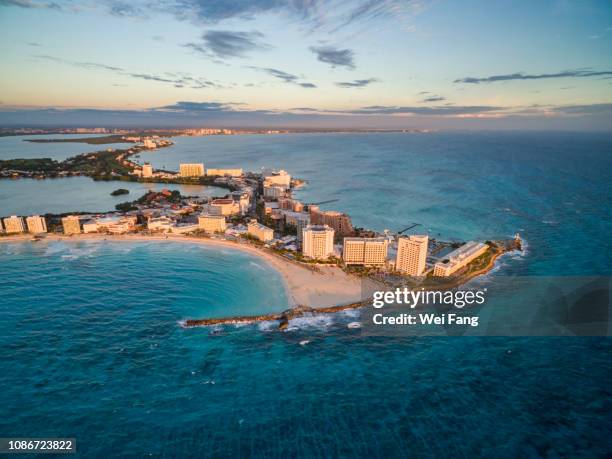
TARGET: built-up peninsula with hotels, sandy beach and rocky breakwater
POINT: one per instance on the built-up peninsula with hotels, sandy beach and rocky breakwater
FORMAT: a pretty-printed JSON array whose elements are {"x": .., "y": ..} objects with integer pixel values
[{"x": 326, "y": 263}]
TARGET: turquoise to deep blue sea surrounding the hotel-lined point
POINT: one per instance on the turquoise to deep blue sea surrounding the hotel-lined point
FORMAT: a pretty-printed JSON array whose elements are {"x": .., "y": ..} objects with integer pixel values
[{"x": 90, "y": 346}]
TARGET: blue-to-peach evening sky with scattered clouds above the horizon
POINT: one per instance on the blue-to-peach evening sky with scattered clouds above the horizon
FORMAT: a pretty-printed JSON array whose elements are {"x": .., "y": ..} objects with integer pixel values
[{"x": 387, "y": 64}]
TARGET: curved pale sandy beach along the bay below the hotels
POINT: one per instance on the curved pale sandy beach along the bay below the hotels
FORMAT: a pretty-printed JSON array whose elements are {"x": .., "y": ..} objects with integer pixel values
[{"x": 324, "y": 287}]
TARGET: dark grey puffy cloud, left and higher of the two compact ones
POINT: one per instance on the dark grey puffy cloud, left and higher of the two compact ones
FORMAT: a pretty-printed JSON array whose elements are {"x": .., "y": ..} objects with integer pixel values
[{"x": 228, "y": 44}]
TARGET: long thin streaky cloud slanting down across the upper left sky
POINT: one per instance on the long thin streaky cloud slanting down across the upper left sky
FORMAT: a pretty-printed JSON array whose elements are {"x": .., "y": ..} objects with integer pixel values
[{"x": 176, "y": 80}]
